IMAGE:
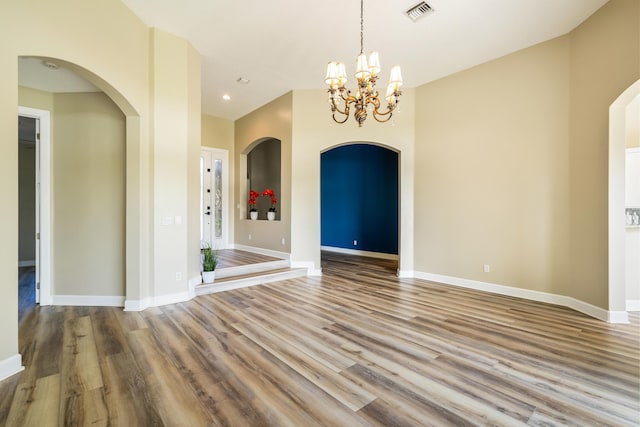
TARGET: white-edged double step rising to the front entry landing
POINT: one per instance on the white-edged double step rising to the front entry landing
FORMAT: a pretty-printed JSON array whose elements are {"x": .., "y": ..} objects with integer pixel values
[{"x": 250, "y": 275}]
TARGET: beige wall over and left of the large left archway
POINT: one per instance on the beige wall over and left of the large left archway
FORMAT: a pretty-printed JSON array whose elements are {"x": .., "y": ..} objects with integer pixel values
[{"x": 112, "y": 44}]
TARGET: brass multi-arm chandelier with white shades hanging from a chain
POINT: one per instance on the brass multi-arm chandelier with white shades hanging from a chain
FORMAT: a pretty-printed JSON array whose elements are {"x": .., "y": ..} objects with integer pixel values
[{"x": 366, "y": 96}]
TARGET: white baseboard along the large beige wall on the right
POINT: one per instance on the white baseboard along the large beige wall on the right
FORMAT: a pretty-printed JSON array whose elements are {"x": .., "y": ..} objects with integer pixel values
[{"x": 581, "y": 306}]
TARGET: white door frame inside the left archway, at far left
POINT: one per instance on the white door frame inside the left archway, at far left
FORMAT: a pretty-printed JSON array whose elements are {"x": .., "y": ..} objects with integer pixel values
[{"x": 43, "y": 200}]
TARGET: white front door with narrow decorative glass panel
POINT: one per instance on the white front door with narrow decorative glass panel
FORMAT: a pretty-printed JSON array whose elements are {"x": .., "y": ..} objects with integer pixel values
[{"x": 214, "y": 197}]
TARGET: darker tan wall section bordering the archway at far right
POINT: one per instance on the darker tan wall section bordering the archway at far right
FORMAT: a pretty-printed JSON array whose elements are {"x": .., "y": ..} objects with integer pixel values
[{"x": 605, "y": 60}]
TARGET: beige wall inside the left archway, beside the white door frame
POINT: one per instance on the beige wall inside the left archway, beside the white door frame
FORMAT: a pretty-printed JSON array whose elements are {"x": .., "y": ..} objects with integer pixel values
[{"x": 88, "y": 193}]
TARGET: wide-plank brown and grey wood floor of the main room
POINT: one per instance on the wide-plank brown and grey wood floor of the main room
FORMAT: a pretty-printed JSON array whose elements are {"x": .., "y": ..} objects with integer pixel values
[{"x": 355, "y": 347}]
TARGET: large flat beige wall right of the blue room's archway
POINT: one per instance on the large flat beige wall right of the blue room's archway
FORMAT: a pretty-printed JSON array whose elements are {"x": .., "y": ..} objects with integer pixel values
[{"x": 492, "y": 183}]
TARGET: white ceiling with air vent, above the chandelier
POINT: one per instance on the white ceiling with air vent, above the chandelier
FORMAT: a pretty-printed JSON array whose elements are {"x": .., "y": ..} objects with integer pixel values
[{"x": 282, "y": 45}]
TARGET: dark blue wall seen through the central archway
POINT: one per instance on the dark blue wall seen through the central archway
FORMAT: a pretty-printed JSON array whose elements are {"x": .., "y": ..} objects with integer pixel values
[{"x": 359, "y": 198}]
